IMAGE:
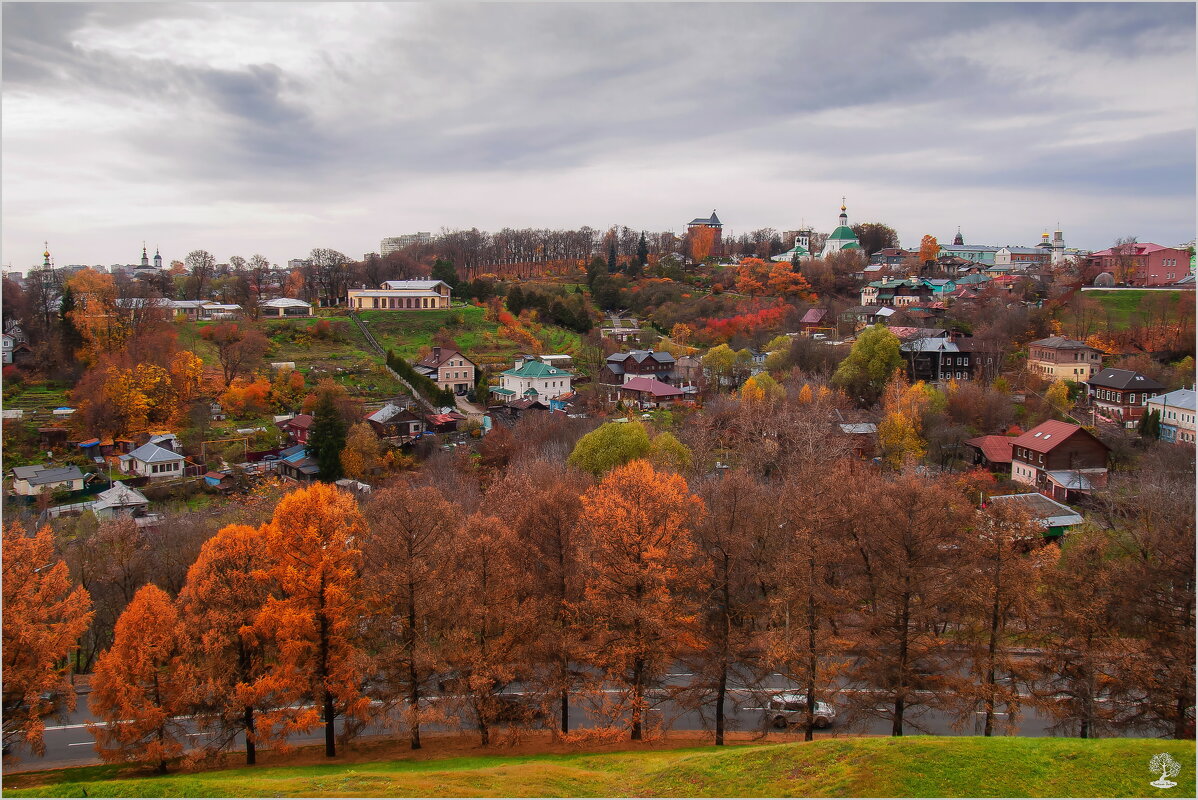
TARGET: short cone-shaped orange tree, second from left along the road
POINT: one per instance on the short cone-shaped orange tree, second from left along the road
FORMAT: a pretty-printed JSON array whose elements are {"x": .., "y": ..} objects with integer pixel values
[{"x": 142, "y": 686}]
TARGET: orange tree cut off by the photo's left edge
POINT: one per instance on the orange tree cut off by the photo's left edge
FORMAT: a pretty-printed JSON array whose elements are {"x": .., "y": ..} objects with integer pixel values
[{"x": 44, "y": 620}]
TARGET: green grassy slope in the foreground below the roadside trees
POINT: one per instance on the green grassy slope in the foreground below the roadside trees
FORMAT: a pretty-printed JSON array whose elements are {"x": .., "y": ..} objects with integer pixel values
[{"x": 910, "y": 767}]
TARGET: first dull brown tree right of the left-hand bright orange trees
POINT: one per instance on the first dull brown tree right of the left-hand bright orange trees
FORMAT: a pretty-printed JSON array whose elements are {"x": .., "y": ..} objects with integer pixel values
[{"x": 407, "y": 551}]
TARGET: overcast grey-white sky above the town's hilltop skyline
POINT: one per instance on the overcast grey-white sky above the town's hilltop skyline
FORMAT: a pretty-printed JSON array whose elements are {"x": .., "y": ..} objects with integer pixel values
[{"x": 275, "y": 129}]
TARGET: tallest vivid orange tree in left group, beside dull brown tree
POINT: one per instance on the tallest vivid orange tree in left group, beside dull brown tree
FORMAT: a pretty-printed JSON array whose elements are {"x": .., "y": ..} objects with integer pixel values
[{"x": 317, "y": 605}]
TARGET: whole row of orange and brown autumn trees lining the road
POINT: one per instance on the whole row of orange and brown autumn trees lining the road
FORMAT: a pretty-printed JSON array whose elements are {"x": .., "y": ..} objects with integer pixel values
[{"x": 570, "y": 585}]
